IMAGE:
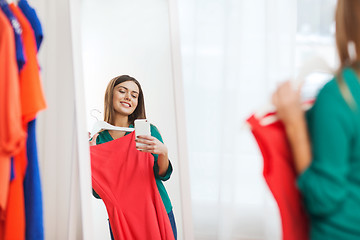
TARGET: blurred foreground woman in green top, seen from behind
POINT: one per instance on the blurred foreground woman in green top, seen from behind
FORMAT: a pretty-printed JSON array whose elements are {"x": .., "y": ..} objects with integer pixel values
[{"x": 326, "y": 148}]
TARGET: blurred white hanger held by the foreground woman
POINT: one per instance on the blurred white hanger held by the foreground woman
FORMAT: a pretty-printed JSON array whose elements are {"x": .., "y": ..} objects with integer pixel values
[{"x": 315, "y": 64}]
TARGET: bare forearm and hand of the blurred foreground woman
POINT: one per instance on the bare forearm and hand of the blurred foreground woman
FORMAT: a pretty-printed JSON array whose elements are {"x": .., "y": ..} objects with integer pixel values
[{"x": 288, "y": 104}]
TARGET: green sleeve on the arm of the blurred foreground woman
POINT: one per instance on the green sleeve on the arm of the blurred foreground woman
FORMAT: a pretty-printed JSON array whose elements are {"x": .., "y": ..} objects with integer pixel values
[{"x": 323, "y": 184}]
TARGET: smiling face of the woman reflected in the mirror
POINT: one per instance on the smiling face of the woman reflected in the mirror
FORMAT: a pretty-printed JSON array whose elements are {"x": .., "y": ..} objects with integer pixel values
[{"x": 125, "y": 98}]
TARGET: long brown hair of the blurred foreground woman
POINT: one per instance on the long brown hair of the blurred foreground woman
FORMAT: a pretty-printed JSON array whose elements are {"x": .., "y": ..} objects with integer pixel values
[{"x": 347, "y": 18}]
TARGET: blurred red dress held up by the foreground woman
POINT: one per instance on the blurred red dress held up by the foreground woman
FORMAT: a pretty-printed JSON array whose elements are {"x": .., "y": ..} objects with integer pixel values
[{"x": 280, "y": 176}]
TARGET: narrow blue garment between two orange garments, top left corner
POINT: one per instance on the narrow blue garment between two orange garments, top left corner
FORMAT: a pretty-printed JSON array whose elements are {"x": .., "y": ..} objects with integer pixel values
[{"x": 17, "y": 30}]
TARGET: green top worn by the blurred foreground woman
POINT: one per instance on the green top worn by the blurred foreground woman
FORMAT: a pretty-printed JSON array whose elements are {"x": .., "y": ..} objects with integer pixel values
[{"x": 331, "y": 184}]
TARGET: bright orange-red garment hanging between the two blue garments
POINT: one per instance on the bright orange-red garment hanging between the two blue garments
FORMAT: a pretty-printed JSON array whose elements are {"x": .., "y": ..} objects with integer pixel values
[{"x": 32, "y": 101}]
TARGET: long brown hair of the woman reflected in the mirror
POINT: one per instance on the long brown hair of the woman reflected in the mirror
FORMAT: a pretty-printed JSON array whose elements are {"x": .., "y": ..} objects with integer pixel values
[{"x": 109, "y": 115}]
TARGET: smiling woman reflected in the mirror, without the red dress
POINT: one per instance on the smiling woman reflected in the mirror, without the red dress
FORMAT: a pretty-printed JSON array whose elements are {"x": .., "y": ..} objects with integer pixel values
[{"x": 124, "y": 102}]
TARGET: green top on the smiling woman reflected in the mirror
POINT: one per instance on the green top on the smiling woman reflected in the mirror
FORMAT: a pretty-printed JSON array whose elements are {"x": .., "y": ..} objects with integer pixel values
[{"x": 105, "y": 136}]
